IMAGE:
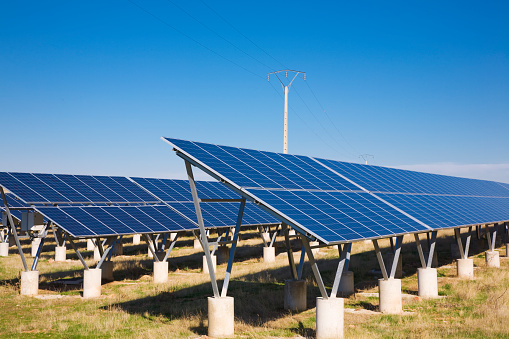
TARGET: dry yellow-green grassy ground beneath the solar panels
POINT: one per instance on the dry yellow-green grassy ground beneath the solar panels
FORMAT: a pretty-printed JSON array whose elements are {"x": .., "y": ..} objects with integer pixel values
[{"x": 133, "y": 307}]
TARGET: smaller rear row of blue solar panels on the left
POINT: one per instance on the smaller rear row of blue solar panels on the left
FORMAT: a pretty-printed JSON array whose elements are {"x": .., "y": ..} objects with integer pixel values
[{"x": 88, "y": 206}]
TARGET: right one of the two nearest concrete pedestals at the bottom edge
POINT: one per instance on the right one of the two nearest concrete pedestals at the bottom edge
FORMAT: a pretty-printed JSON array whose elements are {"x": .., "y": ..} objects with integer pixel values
[{"x": 329, "y": 318}]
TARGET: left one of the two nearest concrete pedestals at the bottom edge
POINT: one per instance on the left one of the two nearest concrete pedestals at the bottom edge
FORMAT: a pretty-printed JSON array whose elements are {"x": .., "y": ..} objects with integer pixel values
[{"x": 221, "y": 317}]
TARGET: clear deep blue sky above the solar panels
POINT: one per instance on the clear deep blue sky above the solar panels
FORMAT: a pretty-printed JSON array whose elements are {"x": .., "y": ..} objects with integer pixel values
[{"x": 90, "y": 87}]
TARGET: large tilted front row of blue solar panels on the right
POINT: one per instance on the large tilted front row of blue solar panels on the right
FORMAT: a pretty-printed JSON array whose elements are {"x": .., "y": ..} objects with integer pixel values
[{"x": 340, "y": 202}]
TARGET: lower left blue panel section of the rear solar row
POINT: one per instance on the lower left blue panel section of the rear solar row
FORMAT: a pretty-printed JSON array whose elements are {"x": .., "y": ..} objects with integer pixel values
[{"x": 90, "y": 221}]
